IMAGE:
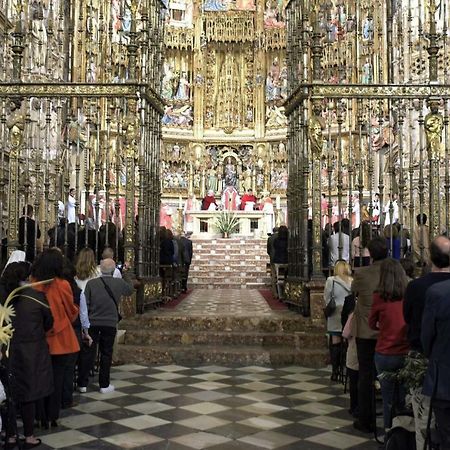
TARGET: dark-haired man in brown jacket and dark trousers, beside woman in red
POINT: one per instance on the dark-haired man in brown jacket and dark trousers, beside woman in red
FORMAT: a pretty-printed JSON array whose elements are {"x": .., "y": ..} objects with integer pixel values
[{"x": 365, "y": 282}]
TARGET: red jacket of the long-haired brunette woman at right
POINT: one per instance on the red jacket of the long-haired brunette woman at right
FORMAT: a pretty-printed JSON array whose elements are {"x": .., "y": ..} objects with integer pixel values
[{"x": 387, "y": 316}]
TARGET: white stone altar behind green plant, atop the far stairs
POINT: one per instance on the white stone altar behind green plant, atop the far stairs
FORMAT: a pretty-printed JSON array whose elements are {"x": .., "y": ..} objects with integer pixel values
[{"x": 251, "y": 223}]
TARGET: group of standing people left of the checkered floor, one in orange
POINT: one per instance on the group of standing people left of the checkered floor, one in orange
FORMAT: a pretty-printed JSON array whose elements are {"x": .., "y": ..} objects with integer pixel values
[{"x": 63, "y": 314}]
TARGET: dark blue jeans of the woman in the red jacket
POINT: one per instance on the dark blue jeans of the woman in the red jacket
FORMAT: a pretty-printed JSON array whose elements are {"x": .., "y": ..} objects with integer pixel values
[{"x": 390, "y": 363}]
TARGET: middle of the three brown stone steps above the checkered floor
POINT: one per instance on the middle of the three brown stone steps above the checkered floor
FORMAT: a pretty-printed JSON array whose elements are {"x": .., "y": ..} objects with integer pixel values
[{"x": 218, "y": 338}]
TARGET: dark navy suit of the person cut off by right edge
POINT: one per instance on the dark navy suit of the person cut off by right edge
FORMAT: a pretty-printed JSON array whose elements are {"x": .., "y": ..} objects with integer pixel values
[{"x": 435, "y": 337}]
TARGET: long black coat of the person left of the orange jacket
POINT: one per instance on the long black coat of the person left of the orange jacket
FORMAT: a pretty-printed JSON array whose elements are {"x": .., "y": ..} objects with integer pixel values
[{"x": 29, "y": 358}]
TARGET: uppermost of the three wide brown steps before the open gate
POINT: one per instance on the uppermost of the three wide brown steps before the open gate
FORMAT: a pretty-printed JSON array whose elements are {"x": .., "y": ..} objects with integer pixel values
[{"x": 288, "y": 322}]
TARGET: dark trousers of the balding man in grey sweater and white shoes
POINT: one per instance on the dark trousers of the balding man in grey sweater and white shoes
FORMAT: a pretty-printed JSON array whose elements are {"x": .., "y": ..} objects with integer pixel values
[{"x": 103, "y": 337}]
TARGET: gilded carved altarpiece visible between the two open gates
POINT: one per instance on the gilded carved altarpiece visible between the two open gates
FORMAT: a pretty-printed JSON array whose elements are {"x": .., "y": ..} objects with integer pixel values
[{"x": 224, "y": 83}]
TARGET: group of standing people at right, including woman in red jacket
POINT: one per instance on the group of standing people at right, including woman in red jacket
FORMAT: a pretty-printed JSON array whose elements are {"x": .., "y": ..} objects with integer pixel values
[{"x": 381, "y": 321}]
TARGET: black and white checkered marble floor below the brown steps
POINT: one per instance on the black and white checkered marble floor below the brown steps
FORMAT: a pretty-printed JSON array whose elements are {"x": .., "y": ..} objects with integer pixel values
[{"x": 218, "y": 408}]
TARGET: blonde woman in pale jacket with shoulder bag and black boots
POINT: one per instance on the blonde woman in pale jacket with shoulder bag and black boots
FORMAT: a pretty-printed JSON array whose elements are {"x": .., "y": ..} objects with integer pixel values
[{"x": 337, "y": 288}]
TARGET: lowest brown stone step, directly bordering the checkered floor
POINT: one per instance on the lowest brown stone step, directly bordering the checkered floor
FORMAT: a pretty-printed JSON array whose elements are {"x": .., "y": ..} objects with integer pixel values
[{"x": 220, "y": 355}]
